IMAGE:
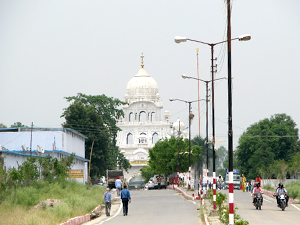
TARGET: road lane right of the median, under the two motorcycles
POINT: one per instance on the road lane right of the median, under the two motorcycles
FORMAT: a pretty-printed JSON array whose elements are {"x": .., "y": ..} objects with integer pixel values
[{"x": 269, "y": 214}]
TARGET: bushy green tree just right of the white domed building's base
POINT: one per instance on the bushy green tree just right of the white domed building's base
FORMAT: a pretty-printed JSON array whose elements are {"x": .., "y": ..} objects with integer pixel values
[{"x": 164, "y": 155}]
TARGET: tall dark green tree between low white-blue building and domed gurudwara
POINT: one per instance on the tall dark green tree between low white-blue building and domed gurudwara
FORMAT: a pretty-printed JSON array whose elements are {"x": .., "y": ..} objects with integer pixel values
[{"x": 95, "y": 117}]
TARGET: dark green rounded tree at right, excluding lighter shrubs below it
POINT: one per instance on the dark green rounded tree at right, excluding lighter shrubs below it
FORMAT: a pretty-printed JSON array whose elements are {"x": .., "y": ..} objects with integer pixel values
[{"x": 265, "y": 142}]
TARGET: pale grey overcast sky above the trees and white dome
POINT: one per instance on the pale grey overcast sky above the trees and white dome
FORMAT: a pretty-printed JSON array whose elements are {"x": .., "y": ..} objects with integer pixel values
[{"x": 53, "y": 49}]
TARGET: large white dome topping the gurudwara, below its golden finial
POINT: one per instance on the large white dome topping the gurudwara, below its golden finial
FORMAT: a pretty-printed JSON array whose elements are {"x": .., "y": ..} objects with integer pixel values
[{"x": 142, "y": 87}]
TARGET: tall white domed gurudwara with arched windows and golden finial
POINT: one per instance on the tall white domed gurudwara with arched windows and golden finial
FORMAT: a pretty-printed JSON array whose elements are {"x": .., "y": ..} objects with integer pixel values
[{"x": 143, "y": 124}]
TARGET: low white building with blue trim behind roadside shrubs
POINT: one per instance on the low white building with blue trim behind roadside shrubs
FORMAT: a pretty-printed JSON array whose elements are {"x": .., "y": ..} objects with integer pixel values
[{"x": 15, "y": 146}]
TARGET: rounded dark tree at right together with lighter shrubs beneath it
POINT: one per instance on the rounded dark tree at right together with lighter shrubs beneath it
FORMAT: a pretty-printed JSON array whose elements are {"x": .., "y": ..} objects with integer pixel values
[{"x": 270, "y": 148}]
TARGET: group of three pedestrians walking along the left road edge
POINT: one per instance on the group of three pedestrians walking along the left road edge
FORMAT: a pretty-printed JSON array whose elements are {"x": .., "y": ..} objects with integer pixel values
[{"x": 123, "y": 193}]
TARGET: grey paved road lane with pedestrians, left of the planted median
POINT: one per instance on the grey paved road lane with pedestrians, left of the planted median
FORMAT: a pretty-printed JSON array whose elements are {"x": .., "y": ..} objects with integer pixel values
[{"x": 154, "y": 207}]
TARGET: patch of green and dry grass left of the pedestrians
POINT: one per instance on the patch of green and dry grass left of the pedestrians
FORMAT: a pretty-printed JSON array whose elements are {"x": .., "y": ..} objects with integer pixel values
[{"x": 16, "y": 209}]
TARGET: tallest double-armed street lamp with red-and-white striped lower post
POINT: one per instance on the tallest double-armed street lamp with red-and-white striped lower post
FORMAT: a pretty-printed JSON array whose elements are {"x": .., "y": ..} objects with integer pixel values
[{"x": 245, "y": 37}]
